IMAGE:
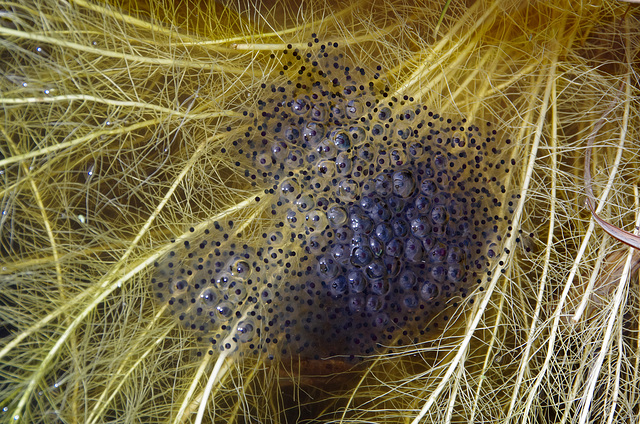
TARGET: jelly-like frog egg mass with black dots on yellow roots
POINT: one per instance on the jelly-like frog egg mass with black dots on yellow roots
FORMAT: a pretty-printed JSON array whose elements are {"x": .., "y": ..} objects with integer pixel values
[{"x": 381, "y": 216}]
